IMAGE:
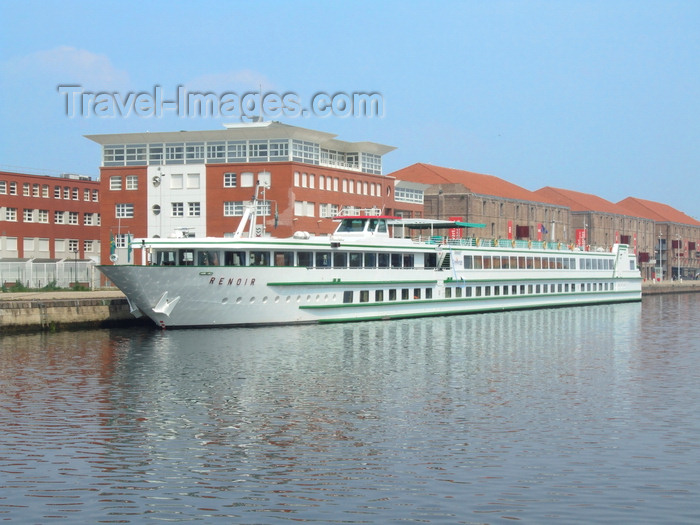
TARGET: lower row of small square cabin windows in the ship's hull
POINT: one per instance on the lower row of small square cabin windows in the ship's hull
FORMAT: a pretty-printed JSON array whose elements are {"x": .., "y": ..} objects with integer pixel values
[{"x": 456, "y": 292}]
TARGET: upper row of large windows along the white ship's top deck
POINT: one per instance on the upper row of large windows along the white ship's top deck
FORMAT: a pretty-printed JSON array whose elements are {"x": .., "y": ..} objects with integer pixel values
[{"x": 340, "y": 259}]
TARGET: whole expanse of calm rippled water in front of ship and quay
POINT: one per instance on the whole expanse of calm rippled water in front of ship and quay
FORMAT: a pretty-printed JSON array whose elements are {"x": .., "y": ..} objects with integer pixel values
[{"x": 579, "y": 415}]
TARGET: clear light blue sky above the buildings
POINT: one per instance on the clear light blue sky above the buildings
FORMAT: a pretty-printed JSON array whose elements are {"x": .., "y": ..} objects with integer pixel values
[{"x": 601, "y": 97}]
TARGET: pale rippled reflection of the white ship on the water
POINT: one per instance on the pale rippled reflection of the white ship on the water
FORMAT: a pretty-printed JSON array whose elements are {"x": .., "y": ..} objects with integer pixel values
[{"x": 296, "y": 388}]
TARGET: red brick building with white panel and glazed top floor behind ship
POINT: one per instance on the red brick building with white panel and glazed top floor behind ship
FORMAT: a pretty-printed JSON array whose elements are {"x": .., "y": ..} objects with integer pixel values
[{"x": 198, "y": 182}]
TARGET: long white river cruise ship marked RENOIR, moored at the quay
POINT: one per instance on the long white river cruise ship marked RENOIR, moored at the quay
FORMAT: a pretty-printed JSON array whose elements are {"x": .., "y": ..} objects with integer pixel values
[{"x": 373, "y": 267}]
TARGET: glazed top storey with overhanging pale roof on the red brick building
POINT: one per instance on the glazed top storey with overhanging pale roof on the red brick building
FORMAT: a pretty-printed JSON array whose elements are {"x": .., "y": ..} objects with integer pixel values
[{"x": 245, "y": 142}]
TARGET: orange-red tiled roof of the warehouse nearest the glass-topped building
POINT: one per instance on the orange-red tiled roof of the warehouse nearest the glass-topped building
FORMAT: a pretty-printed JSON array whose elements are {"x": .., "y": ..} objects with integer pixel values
[{"x": 474, "y": 182}]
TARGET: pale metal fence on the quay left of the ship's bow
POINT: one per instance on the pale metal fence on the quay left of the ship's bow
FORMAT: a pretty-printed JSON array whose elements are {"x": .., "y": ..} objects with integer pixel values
[{"x": 61, "y": 273}]
